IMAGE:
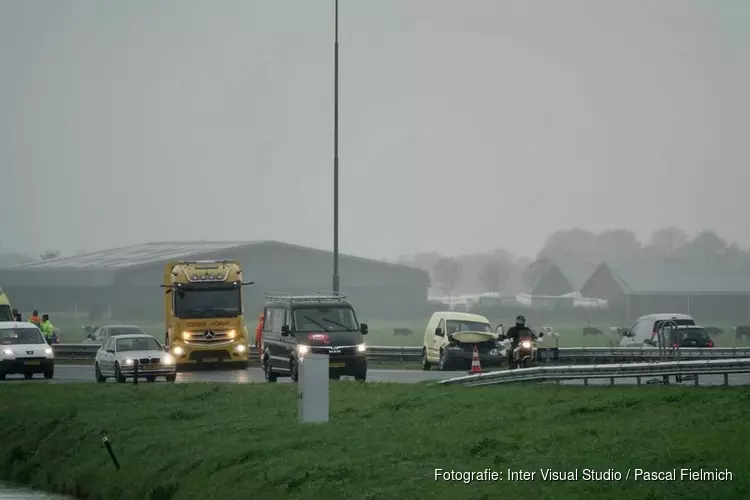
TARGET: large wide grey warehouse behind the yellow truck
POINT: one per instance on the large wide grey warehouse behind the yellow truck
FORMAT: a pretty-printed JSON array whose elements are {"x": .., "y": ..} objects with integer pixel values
[{"x": 125, "y": 282}]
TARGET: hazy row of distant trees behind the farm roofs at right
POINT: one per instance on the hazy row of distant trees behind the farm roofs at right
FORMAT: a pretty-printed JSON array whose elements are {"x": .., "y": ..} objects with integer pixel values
[{"x": 577, "y": 252}]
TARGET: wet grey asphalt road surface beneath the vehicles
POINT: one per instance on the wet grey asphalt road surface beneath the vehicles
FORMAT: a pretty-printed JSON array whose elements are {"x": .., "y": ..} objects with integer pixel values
[{"x": 85, "y": 374}]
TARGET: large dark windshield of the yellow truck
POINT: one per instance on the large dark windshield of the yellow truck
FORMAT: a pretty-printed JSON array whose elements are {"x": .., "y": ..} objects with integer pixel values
[{"x": 222, "y": 301}]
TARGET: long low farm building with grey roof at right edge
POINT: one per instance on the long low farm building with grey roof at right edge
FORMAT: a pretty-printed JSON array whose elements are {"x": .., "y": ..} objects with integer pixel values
[{"x": 712, "y": 293}]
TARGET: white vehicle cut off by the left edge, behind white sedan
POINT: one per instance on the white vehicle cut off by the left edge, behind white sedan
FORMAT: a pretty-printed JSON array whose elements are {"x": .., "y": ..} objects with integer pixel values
[{"x": 23, "y": 350}]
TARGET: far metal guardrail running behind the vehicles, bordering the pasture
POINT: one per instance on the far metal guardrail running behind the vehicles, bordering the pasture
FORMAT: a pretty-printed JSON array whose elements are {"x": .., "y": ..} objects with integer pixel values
[{"x": 565, "y": 355}]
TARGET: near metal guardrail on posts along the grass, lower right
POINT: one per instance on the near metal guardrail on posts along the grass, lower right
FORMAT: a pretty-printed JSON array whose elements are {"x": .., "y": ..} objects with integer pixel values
[{"x": 665, "y": 370}]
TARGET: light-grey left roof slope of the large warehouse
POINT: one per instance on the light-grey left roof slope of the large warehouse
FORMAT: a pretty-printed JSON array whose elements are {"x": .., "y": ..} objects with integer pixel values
[{"x": 134, "y": 255}]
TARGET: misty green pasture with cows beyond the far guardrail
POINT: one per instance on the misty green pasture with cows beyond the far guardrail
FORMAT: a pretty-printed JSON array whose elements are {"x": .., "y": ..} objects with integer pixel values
[{"x": 381, "y": 333}]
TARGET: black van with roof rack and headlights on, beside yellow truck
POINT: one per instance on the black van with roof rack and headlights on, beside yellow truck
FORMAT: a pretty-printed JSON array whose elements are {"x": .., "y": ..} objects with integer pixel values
[{"x": 296, "y": 326}]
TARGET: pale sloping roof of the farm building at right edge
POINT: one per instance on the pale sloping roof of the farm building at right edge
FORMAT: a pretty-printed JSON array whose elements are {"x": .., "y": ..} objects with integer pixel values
[{"x": 680, "y": 278}]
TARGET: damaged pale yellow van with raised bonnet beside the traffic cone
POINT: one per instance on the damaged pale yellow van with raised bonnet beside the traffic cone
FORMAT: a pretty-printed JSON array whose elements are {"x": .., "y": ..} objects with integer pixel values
[{"x": 450, "y": 337}]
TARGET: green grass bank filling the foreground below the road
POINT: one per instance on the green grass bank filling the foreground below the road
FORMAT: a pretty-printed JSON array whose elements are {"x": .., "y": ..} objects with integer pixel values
[{"x": 184, "y": 442}]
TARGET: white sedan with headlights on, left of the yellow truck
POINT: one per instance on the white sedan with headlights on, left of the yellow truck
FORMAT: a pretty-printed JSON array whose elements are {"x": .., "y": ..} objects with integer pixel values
[{"x": 120, "y": 356}]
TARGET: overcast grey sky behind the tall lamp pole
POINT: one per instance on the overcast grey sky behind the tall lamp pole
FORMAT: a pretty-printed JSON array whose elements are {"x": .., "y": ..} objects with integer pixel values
[{"x": 465, "y": 125}]
